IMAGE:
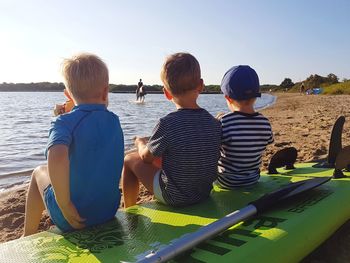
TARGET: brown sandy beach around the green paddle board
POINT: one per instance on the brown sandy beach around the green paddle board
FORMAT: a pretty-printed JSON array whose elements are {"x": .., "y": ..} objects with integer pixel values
[{"x": 301, "y": 121}]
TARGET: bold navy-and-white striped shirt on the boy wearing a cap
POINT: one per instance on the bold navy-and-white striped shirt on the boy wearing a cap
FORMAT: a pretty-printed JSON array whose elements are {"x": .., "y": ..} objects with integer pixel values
[{"x": 244, "y": 139}]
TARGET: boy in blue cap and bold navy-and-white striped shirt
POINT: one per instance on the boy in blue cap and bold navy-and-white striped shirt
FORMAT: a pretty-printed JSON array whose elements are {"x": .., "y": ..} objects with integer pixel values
[{"x": 245, "y": 133}]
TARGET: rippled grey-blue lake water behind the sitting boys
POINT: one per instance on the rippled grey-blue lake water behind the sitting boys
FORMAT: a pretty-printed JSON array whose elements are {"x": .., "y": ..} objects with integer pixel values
[{"x": 25, "y": 119}]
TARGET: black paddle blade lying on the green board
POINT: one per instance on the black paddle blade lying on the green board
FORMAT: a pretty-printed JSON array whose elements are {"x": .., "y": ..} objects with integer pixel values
[{"x": 291, "y": 190}]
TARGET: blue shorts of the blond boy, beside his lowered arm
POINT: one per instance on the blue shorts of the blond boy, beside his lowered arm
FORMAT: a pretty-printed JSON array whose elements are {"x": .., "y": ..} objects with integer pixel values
[{"x": 54, "y": 211}]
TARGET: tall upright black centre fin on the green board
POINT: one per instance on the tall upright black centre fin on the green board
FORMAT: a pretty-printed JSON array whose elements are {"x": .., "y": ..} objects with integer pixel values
[{"x": 335, "y": 144}]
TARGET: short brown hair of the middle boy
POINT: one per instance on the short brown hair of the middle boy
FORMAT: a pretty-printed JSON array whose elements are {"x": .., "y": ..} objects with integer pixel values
[{"x": 181, "y": 73}]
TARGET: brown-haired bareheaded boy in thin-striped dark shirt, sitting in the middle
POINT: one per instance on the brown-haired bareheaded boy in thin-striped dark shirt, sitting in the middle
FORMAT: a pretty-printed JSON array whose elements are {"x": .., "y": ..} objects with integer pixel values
[{"x": 187, "y": 140}]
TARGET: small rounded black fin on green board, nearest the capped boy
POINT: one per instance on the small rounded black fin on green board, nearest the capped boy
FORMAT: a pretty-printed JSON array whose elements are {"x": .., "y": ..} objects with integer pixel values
[{"x": 285, "y": 157}]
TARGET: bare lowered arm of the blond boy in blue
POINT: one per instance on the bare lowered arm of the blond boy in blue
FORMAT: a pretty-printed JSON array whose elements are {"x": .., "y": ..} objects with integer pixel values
[{"x": 58, "y": 167}]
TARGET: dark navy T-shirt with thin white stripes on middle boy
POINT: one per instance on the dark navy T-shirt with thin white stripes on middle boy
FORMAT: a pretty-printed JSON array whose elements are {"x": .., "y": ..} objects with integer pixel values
[{"x": 188, "y": 140}]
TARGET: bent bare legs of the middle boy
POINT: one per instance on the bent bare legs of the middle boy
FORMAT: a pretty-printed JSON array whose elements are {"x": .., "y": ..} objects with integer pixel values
[{"x": 136, "y": 170}]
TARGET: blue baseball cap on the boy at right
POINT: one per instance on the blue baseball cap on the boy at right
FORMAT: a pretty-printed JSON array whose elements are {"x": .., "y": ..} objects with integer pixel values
[{"x": 241, "y": 83}]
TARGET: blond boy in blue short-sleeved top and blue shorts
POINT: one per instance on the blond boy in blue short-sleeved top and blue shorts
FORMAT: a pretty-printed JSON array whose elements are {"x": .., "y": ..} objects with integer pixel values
[{"x": 79, "y": 186}]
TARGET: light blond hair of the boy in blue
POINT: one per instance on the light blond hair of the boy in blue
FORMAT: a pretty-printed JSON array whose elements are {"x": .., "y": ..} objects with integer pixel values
[{"x": 85, "y": 75}]
